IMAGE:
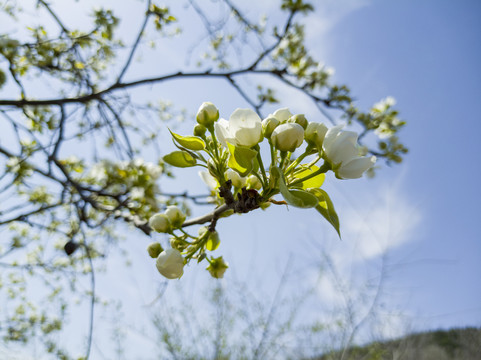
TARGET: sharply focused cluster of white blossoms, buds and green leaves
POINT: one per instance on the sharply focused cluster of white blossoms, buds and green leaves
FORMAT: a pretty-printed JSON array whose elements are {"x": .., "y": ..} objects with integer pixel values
[{"x": 230, "y": 151}]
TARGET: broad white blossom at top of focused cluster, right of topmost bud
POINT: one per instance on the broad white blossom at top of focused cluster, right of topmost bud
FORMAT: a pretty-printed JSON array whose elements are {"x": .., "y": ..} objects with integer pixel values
[{"x": 244, "y": 128}]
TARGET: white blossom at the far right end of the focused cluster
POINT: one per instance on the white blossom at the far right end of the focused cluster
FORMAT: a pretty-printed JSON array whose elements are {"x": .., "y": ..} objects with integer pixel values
[{"x": 342, "y": 151}]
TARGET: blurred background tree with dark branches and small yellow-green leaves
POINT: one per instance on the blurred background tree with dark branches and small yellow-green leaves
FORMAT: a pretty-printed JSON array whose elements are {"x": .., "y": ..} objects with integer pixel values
[{"x": 76, "y": 127}]
